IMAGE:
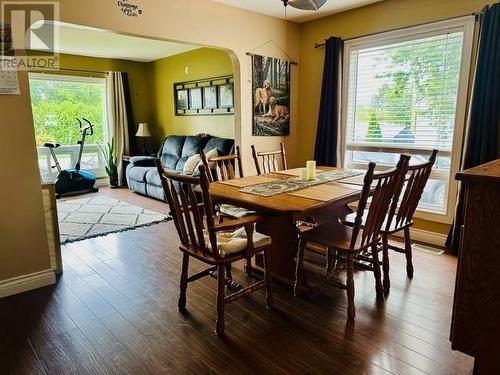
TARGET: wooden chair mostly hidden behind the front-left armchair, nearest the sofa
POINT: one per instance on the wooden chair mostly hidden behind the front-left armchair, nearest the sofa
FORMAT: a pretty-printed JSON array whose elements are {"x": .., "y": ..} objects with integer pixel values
[{"x": 223, "y": 168}]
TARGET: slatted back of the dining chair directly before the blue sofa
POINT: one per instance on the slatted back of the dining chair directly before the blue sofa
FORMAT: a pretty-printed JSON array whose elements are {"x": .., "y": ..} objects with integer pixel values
[{"x": 222, "y": 168}]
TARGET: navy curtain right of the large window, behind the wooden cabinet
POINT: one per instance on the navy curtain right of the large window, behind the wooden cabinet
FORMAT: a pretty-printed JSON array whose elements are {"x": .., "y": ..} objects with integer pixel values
[{"x": 483, "y": 138}]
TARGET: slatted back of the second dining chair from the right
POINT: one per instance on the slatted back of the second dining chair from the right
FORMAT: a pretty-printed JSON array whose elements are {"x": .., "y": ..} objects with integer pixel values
[{"x": 382, "y": 194}]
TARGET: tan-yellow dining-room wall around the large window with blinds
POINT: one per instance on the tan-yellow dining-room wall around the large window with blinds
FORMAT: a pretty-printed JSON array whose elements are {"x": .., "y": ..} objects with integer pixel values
[{"x": 379, "y": 17}]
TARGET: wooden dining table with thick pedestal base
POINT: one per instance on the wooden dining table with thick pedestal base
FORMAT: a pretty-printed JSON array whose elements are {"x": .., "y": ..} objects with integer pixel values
[{"x": 317, "y": 204}]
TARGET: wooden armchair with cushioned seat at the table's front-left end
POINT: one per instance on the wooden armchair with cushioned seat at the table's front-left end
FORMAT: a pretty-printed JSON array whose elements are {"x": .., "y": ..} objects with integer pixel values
[{"x": 216, "y": 244}]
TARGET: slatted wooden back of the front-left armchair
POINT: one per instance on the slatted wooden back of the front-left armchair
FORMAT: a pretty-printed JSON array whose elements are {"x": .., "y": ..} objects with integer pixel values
[{"x": 189, "y": 214}]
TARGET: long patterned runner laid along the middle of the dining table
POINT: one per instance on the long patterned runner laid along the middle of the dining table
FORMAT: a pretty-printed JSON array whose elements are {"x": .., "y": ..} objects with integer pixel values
[{"x": 269, "y": 189}]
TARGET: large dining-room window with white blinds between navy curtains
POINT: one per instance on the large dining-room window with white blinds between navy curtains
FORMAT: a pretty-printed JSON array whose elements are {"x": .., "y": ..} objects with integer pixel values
[{"x": 406, "y": 93}]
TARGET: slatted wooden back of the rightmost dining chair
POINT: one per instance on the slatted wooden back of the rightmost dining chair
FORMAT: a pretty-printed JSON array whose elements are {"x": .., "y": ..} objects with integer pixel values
[{"x": 418, "y": 175}]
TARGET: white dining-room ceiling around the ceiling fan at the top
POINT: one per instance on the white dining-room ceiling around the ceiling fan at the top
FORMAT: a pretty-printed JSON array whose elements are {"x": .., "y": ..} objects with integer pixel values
[{"x": 275, "y": 8}]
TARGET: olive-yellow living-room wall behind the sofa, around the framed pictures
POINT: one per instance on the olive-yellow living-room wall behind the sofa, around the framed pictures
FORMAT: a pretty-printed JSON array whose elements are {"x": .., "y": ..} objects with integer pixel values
[{"x": 201, "y": 63}]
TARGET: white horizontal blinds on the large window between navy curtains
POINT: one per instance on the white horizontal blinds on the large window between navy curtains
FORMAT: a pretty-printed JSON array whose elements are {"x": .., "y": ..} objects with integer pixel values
[{"x": 404, "y": 94}]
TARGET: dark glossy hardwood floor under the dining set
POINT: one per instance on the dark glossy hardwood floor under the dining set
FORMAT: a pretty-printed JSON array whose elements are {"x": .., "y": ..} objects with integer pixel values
[{"x": 113, "y": 311}]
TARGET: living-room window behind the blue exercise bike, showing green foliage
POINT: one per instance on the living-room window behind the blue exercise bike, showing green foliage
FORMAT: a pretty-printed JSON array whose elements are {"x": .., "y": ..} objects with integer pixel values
[{"x": 57, "y": 101}]
